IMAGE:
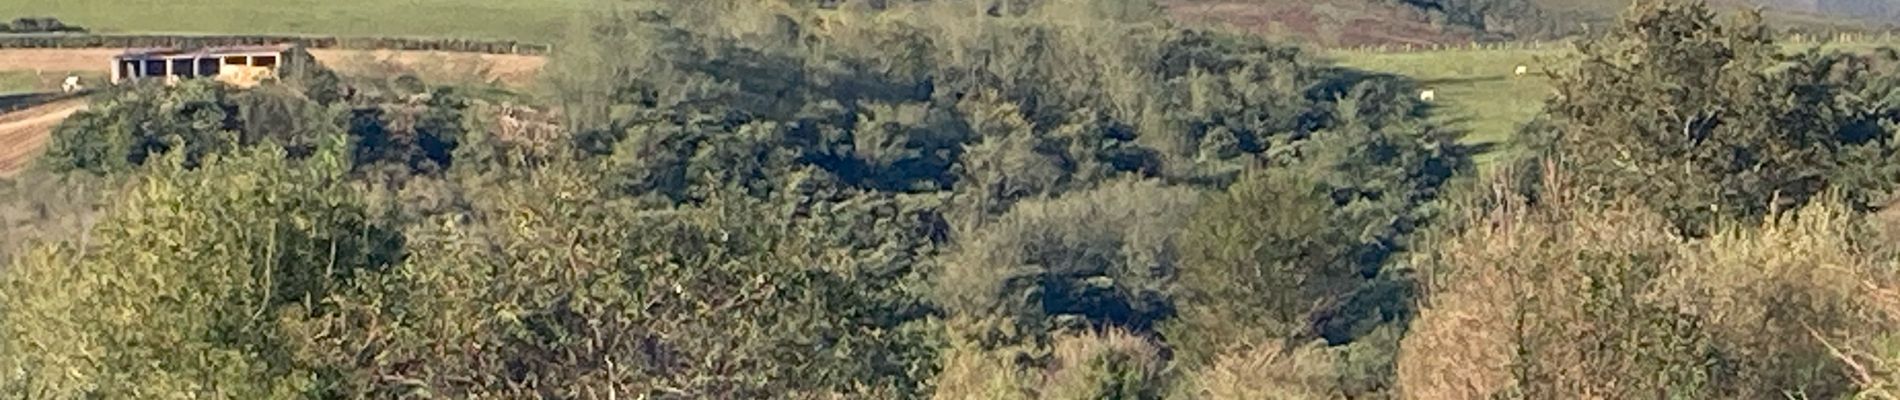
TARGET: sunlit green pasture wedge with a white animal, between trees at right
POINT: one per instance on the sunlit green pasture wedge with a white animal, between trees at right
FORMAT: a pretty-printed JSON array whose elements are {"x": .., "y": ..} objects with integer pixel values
[{"x": 1477, "y": 88}]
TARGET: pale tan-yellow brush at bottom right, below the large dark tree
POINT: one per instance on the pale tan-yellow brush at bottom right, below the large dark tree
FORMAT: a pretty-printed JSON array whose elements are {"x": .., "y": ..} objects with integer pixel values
[{"x": 1587, "y": 300}]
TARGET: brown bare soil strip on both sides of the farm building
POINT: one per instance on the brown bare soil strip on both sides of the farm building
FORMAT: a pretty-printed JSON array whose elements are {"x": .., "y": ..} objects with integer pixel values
[{"x": 512, "y": 71}]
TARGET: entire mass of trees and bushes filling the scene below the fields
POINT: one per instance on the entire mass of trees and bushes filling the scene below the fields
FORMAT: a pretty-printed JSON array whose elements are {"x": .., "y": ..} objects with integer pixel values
[{"x": 968, "y": 200}]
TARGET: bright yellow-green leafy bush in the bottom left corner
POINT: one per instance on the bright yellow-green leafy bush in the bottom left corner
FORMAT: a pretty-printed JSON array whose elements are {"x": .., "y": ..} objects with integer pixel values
[{"x": 180, "y": 291}]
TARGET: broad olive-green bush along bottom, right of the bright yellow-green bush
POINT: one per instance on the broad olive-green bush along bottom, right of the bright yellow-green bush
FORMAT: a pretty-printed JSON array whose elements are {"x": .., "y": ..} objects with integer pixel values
[{"x": 567, "y": 295}]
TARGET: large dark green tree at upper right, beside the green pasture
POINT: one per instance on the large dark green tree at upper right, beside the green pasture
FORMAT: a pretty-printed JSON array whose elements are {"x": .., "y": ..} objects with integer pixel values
[{"x": 1707, "y": 120}]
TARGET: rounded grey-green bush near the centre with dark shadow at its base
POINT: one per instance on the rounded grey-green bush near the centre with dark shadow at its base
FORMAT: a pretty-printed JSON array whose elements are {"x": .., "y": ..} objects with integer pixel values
[{"x": 1086, "y": 261}]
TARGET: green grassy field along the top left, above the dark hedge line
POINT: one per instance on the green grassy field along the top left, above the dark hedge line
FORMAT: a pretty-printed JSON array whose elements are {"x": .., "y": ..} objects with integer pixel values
[{"x": 497, "y": 20}]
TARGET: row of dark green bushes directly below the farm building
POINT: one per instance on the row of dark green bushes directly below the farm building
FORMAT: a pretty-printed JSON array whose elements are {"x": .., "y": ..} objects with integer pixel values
[{"x": 202, "y": 120}]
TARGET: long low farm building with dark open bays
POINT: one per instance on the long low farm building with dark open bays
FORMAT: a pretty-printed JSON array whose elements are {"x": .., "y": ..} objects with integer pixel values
[{"x": 238, "y": 65}]
